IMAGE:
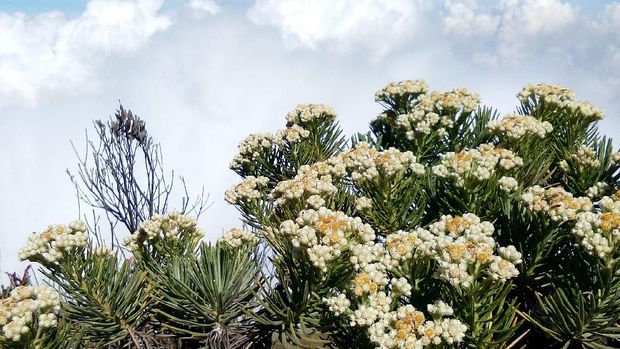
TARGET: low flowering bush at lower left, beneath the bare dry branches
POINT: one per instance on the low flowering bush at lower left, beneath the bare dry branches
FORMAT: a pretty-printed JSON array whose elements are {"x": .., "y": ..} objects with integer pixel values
[{"x": 172, "y": 289}]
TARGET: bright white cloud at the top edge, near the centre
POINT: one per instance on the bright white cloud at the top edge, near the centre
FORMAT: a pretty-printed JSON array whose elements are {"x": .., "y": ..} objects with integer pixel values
[{"x": 377, "y": 25}]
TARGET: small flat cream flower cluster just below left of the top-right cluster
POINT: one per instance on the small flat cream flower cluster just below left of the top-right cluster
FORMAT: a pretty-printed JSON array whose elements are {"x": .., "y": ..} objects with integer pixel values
[{"x": 514, "y": 127}]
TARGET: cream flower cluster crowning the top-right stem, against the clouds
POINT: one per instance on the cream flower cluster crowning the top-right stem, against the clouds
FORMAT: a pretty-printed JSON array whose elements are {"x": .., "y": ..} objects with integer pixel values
[{"x": 561, "y": 97}]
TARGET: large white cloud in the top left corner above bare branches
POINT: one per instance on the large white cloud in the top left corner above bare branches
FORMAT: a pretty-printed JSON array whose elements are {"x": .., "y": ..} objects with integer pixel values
[{"x": 51, "y": 53}]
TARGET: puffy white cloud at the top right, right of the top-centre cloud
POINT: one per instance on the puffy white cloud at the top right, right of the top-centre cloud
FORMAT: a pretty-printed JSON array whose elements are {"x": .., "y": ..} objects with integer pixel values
[{"x": 509, "y": 30}]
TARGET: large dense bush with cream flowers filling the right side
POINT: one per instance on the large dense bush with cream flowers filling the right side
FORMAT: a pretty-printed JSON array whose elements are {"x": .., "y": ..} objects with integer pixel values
[{"x": 445, "y": 226}]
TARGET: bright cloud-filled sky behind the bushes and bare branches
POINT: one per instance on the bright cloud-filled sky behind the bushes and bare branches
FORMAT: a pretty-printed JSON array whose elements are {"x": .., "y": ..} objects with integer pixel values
[{"x": 204, "y": 74}]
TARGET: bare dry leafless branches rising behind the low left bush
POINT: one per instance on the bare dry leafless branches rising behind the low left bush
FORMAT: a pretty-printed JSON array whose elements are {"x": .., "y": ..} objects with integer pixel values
[{"x": 121, "y": 172}]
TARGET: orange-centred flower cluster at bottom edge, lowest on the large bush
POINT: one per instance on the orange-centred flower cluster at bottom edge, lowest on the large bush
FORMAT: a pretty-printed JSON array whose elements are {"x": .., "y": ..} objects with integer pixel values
[{"x": 407, "y": 327}]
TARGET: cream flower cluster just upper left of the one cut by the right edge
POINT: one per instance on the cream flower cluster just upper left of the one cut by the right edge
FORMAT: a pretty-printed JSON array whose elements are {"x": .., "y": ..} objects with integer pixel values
[{"x": 559, "y": 204}]
